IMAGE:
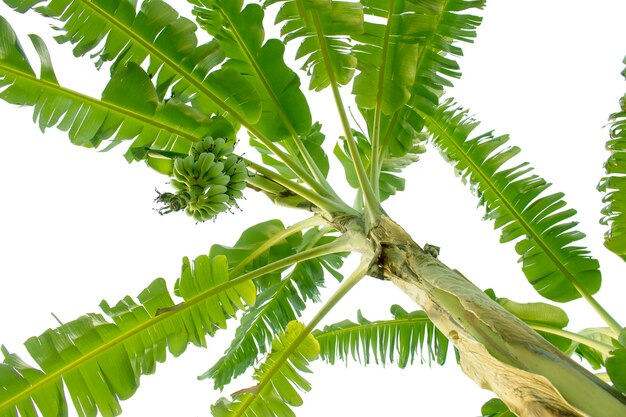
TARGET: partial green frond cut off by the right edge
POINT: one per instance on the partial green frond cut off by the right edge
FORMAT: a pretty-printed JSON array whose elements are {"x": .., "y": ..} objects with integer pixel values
[{"x": 615, "y": 183}]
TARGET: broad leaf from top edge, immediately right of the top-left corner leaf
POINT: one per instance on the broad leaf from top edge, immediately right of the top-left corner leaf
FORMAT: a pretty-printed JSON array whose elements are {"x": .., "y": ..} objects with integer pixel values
[{"x": 241, "y": 35}]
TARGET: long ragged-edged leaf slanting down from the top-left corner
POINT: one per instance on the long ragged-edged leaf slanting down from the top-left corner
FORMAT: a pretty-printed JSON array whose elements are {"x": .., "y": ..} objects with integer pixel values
[{"x": 155, "y": 32}]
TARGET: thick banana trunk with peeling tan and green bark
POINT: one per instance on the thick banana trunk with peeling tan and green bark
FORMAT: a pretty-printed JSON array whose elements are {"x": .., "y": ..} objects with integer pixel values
[{"x": 497, "y": 350}]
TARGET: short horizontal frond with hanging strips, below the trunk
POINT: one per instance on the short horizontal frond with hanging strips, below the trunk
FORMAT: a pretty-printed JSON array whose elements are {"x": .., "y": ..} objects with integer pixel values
[{"x": 400, "y": 340}]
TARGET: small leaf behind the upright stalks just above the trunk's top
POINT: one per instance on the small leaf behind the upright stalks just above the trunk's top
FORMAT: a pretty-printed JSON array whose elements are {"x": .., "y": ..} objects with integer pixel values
[{"x": 388, "y": 181}]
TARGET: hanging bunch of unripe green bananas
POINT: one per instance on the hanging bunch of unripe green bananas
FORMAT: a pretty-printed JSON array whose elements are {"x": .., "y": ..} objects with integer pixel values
[{"x": 207, "y": 181}]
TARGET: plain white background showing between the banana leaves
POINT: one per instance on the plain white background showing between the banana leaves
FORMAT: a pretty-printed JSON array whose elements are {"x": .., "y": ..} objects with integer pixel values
[{"x": 78, "y": 226}]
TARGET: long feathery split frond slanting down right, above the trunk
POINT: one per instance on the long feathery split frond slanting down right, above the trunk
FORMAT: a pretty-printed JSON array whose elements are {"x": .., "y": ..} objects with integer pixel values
[{"x": 515, "y": 199}]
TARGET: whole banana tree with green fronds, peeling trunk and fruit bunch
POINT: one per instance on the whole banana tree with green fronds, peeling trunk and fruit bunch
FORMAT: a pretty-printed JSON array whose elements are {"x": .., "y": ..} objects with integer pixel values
[{"x": 216, "y": 105}]
